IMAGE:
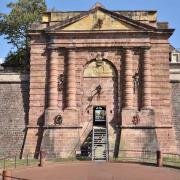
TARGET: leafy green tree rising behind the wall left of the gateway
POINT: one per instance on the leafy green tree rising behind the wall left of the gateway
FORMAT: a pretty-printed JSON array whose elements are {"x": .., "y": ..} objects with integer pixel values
[{"x": 15, "y": 25}]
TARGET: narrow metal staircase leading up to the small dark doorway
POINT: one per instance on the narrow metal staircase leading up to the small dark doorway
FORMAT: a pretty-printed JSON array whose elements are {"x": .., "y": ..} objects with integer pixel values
[{"x": 100, "y": 143}]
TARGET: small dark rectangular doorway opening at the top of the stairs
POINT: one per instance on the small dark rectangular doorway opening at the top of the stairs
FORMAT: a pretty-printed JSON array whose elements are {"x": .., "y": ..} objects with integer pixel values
[{"x": 99, "y": 115}]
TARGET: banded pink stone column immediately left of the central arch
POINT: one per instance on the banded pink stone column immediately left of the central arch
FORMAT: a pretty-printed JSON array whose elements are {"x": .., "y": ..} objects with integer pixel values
[{"x": 71, "y": 79}]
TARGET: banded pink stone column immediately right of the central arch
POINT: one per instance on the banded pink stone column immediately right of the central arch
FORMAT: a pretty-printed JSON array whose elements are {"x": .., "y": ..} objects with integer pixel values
[{"x": 128, "y": 99}]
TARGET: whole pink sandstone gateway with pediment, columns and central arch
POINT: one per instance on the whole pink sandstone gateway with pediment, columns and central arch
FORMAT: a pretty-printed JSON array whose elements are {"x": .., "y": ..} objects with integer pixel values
[{"x": 99, "y": 85}]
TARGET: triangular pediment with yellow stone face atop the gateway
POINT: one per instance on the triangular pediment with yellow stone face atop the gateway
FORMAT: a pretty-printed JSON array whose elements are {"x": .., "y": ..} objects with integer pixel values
[{"x": 100, "y": 19}]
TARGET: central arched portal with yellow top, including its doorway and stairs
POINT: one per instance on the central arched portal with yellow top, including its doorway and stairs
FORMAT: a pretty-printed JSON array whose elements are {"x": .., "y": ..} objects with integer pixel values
[{"x": 100, "y": 93}]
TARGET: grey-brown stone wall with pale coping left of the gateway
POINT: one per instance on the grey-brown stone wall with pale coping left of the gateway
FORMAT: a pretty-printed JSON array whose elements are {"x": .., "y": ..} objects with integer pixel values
[{"x": 14, "y": 102}]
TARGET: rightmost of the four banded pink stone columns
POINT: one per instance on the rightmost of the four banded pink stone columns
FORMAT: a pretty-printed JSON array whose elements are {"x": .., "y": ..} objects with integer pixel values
[{"x": 147, "y": 80}]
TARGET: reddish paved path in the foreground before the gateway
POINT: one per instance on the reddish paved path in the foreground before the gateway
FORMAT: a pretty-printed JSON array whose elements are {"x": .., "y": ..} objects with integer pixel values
[{"x": 97, "y": 171}]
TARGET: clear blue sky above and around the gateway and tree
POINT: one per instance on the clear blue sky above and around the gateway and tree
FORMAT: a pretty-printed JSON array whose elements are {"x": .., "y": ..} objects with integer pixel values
[{"x": 168, "y": 10}]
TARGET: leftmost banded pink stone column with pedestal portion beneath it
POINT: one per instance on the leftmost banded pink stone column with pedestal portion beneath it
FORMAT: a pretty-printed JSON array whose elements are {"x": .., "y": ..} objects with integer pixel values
[{"x": 52, "y": 109}]
